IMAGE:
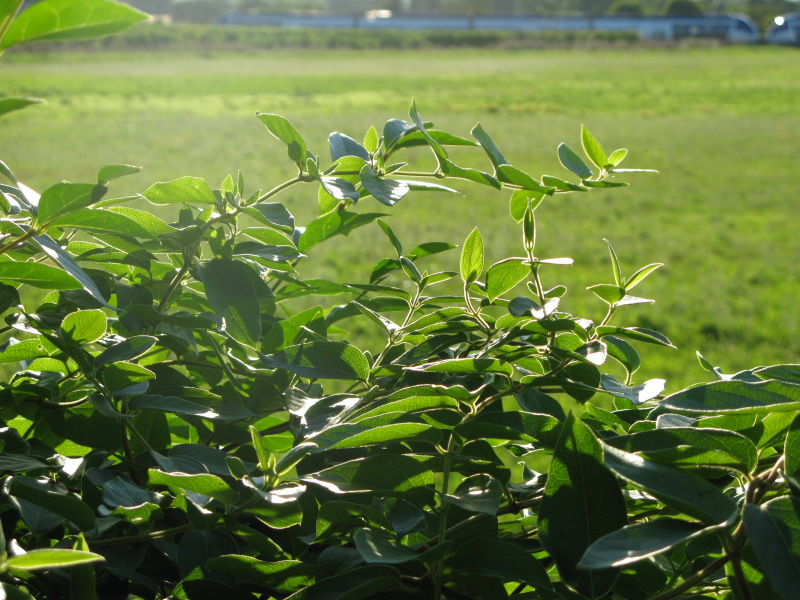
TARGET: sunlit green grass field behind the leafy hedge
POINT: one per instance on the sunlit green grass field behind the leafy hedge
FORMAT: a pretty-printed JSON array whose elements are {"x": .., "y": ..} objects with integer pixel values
[{"x": 721, "y": 125}]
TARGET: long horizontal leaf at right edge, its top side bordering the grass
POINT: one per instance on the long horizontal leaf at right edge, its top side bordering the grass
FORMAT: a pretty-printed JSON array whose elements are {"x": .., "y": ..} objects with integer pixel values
[{"x": 742, "y": 397}]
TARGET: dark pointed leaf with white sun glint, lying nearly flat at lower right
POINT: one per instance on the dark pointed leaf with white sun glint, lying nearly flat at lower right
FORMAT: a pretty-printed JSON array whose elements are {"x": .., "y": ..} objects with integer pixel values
[{"x": 639, "y": 541}]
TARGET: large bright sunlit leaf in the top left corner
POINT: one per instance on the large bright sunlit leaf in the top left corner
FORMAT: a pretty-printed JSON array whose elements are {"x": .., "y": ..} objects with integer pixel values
[{"x": 69, "y": 20}]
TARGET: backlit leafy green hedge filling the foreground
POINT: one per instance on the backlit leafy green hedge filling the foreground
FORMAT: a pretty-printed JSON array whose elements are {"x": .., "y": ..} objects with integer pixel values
[{"x": 180, "y": 428}]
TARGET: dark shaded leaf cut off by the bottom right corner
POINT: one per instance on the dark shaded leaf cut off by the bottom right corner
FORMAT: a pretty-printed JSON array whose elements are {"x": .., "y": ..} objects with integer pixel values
[{"x": 774, "y": 532}]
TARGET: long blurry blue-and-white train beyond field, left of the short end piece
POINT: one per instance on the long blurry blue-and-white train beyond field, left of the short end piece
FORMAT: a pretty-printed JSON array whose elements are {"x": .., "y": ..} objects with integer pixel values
[{"x": 732, "y": 28}]
